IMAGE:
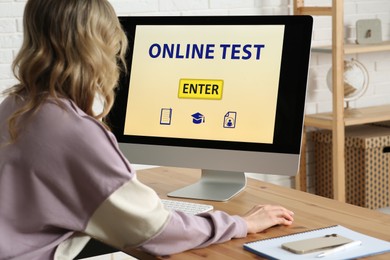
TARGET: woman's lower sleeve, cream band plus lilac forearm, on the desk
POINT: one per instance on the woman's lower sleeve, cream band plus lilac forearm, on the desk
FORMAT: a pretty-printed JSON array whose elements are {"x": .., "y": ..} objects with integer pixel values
[{"x": 134, "y": 216}]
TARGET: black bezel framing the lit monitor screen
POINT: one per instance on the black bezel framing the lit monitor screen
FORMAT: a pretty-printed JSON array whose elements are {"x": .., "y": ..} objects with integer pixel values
[{"x": 290, "y": 103}]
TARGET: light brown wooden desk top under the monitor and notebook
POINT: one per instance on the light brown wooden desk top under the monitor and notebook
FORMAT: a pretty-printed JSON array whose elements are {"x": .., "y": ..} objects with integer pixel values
[{"x": 311, "y": 212}]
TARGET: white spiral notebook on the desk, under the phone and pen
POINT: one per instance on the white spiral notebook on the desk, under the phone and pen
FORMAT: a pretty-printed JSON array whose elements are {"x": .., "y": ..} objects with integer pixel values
[{"x": 271, "y": 248}]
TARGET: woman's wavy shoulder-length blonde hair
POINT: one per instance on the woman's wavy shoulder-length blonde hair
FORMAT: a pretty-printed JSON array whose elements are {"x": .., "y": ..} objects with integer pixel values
[{"x": 72, "y": 49}]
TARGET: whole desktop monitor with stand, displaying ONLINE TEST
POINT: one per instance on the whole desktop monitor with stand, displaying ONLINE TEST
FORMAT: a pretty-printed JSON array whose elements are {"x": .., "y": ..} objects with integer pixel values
[{"x": 225, "y": 94}]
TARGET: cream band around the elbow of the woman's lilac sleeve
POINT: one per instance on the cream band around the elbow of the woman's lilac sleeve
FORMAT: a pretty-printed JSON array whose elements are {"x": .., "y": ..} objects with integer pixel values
[{"x": 131, "y": 215}]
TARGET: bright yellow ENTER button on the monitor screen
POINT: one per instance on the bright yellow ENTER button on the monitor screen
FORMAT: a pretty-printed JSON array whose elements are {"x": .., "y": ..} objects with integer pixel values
[{"x": 201, "y": 88}]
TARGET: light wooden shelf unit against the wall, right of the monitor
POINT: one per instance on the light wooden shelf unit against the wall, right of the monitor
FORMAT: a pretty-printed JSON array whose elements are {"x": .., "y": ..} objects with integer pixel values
[{"x": 339, "y": 118}]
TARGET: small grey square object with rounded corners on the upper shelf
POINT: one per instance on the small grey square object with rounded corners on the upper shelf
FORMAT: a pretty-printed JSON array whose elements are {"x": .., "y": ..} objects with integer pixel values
[{"x": 368, "y": 31}]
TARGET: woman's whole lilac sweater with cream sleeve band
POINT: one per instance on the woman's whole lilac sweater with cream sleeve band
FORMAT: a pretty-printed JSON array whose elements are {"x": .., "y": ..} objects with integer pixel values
[{"x": 65, "y": 180}]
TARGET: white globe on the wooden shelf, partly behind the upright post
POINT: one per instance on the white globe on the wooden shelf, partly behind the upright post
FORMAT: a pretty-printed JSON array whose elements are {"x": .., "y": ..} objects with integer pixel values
[{"x": 355, "y": 80}]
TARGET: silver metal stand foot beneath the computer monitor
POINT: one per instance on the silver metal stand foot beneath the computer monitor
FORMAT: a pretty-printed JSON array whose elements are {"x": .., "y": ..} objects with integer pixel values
[{"x": 213, "y": 185}]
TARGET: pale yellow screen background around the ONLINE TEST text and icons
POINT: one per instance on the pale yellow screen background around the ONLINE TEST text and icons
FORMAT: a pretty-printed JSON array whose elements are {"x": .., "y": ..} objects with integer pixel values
[{"x": 250, "y": 87}]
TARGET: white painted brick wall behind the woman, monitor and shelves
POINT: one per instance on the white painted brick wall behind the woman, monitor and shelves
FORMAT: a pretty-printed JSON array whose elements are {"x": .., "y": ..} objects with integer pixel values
[{"x": 319, "y": 97}]
